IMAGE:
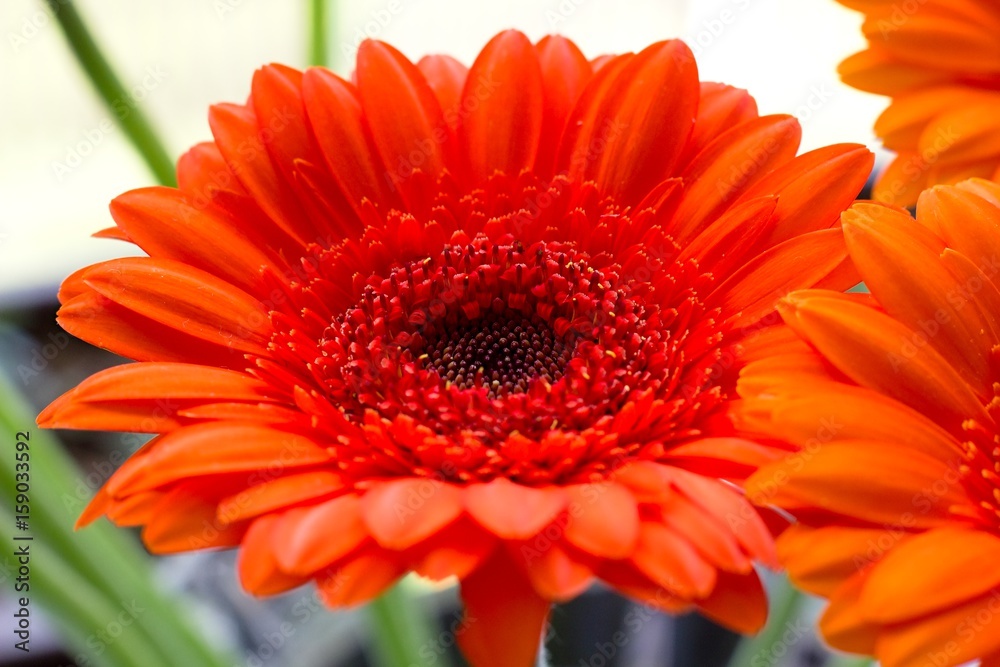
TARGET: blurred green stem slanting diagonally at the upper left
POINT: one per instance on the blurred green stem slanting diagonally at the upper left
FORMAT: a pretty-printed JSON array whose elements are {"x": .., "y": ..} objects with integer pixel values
[{"x": 114, "y": 95}]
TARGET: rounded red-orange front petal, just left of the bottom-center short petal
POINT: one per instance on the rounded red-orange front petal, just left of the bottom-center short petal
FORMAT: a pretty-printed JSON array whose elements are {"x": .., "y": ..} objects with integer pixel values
[{"x": 403, "y": 512}]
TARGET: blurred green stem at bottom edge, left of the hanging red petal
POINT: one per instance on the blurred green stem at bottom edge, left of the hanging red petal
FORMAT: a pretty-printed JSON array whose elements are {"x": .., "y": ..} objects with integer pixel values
[{"x": 401, "y": 629}]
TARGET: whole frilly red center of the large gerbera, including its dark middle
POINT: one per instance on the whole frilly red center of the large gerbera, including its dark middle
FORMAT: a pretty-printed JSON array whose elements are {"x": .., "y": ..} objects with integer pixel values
[{"x": 485, "y": 335}]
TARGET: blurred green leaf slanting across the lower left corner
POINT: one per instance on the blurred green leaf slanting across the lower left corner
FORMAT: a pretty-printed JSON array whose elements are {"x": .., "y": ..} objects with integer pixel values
[{"x": 96, "y": 584}]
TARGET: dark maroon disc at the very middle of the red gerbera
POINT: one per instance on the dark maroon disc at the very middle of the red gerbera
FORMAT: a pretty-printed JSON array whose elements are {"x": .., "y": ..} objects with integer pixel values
[{"x": 502, "y": 353}]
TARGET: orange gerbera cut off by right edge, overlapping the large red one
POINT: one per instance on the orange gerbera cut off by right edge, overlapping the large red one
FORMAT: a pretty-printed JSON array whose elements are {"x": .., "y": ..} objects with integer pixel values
[{"x": 894, "y": 400}]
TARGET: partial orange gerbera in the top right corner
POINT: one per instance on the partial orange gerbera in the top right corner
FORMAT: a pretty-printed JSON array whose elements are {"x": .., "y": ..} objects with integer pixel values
[{"x": 939, "y": 60}]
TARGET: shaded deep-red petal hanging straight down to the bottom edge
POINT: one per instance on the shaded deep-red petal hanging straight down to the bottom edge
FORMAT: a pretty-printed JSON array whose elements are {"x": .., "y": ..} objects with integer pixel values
[{"x": 504, "y": 616}]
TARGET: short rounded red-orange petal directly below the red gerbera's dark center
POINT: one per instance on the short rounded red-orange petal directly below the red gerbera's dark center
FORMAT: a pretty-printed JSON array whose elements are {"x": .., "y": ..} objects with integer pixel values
[{"x": 512, "y": 511}]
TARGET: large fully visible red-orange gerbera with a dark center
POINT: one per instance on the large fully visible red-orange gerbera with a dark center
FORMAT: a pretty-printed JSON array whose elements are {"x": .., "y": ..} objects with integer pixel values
[{"x": 480, "y": 323}]
